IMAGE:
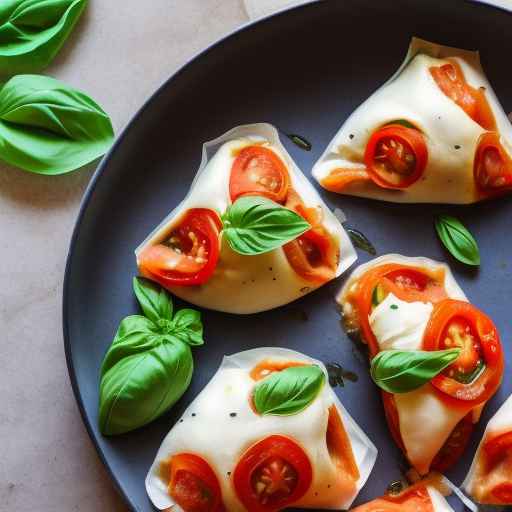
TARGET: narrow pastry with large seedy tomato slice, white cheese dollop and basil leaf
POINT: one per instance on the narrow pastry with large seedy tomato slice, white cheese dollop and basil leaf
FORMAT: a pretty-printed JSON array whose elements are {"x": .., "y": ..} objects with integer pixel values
[{"x": 398, "y": 303}]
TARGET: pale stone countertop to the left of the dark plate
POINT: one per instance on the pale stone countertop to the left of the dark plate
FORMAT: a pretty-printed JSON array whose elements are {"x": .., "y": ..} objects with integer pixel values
[{"x": 119, "y": 53}]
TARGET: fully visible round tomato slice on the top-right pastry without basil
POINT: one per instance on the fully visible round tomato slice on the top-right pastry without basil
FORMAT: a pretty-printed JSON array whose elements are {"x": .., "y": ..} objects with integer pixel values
[{"x": 396, "y": 156}]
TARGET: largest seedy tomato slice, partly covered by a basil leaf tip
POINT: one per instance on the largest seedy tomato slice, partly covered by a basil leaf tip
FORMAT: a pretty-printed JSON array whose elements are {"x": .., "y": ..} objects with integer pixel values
[{"x": 476, "y": 374}]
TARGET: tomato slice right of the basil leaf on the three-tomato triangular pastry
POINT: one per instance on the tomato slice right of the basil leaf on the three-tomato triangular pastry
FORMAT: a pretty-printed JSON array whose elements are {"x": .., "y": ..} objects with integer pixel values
[{"x": 314, "y": 255}]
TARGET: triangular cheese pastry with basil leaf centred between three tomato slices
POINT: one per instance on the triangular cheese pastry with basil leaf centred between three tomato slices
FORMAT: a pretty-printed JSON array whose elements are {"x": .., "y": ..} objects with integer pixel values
[{"x": 190, "y": 255}]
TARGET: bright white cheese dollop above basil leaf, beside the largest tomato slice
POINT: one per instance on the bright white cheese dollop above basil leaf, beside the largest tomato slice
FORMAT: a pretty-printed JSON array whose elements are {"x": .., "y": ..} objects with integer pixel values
[{"x": 398, "y": 324}]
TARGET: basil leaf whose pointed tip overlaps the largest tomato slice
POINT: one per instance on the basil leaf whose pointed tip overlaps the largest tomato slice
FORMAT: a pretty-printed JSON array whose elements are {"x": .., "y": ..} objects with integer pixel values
[{"x": 401, "y": 371}]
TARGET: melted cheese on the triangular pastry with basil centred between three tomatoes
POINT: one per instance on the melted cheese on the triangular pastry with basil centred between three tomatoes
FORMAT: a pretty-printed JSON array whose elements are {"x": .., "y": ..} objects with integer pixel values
[{"x": 247, "y": 284}]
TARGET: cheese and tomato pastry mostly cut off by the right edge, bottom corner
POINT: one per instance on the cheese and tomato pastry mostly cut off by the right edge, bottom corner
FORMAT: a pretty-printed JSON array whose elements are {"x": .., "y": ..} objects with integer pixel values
[{"x": 490, "y": 477}]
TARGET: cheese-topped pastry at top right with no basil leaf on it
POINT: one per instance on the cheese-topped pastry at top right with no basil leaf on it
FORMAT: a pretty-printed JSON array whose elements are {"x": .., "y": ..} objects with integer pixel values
[{"x": 435, "y": 132}]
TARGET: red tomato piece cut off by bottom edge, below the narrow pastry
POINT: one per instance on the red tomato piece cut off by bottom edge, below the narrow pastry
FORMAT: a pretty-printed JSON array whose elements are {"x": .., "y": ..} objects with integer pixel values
[{"x": 414, "y": 499}]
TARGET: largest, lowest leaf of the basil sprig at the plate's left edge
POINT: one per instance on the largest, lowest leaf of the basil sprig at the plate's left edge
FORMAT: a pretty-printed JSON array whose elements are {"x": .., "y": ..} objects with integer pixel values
[{"x": 141, "y": 387}]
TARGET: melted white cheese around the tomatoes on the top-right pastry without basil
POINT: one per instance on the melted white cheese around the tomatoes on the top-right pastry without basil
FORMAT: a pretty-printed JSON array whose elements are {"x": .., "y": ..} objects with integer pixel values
[{"x": 450, "y": 134}]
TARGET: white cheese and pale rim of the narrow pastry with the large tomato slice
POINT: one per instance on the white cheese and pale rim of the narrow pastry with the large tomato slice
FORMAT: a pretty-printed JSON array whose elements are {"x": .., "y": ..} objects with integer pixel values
[{"x": 425, "y": 420}]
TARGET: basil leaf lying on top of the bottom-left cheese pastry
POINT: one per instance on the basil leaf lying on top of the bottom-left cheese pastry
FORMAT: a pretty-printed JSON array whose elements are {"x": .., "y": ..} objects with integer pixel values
[{"x": 289, "y": 391}]
